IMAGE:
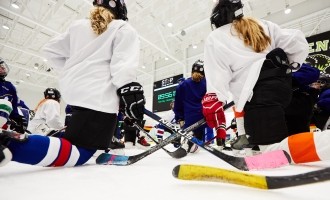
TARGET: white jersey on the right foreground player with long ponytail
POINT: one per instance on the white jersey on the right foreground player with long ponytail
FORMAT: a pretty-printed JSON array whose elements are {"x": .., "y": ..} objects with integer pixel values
[{"x": 232, "y": 66}]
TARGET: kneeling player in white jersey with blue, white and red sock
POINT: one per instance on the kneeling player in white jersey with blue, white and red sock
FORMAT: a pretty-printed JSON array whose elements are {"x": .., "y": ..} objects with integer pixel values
[{"x": 97, "y": 59}]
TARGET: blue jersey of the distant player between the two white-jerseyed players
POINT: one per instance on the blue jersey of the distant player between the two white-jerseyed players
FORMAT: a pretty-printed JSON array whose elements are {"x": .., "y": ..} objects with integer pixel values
[{"x": 188, "y": 101}]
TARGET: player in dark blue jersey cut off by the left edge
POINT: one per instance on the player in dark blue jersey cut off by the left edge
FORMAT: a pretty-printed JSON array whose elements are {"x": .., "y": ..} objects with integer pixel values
[{"x": 8, "y": 92}]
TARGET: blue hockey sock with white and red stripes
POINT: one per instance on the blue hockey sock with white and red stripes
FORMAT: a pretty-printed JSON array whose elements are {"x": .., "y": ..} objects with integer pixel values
[{"x": 49, "y": 152}]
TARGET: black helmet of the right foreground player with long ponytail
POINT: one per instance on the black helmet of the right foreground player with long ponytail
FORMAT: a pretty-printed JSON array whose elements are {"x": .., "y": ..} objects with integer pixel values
[{"x": 226, "y": 11}]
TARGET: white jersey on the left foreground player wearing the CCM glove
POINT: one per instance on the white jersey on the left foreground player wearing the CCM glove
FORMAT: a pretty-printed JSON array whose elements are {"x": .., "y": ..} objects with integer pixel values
[{"x": 91, "y": 68}]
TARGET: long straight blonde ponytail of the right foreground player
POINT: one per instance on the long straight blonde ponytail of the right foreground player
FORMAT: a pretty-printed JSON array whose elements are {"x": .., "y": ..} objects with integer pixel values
[{"x": 252, "y": 33}]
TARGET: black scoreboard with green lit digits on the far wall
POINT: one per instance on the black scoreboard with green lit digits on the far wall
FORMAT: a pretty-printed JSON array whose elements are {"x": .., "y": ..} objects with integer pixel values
[{"x": 164, "y": 93}]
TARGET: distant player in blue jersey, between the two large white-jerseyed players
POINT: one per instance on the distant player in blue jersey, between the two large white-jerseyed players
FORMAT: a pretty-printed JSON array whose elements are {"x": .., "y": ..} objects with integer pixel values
[{"x": 188, "y": 107}]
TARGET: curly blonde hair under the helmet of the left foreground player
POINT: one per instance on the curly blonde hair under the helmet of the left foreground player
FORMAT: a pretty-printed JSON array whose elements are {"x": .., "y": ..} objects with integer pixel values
[{"x": 100, "y": 18}]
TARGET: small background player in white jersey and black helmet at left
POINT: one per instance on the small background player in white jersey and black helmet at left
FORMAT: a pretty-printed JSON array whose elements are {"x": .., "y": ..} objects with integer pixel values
[{"x": 47, "y": 114}]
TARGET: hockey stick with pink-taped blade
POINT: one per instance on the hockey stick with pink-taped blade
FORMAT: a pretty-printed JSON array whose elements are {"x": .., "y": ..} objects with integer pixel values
[{"x": 263, "y": 161}]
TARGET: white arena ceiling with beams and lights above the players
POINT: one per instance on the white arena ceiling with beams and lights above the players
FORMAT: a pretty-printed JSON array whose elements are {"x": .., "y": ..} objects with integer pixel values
[{"x": 172, "y": 33}]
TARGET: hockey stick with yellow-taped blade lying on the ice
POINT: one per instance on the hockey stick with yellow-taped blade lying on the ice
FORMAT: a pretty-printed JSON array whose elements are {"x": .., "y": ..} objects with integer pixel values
[{"x": 205, "y": 173}]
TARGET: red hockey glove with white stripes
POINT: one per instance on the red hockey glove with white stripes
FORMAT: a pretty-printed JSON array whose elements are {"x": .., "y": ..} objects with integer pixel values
[{"x": 214, "y": 114}]
